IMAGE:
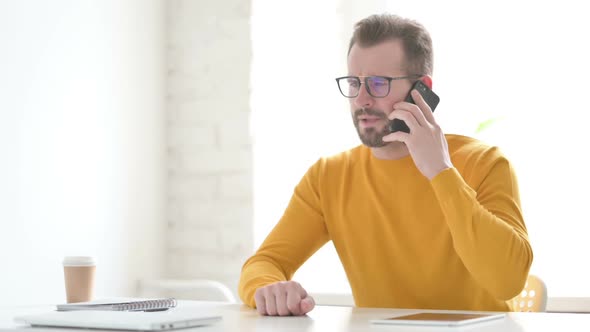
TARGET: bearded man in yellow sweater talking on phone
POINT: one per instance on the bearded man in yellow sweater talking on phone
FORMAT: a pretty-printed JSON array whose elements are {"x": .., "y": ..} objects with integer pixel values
[{"x": 419, "y": 219}]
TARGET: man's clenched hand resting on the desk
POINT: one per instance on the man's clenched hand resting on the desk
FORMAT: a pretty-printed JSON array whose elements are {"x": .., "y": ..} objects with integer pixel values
[{"x": 285, "y": 298}]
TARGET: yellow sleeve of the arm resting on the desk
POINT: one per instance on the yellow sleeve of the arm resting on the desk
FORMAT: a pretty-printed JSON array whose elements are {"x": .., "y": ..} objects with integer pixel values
[{"x": 300, "y": 232}]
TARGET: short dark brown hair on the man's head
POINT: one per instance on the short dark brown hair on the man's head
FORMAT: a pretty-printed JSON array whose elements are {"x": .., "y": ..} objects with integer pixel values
[{"x": 415, "y": 39}]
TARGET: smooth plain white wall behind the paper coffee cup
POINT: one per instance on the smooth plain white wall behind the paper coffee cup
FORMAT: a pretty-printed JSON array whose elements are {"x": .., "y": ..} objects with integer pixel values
[{"x": 81, "y": 143}]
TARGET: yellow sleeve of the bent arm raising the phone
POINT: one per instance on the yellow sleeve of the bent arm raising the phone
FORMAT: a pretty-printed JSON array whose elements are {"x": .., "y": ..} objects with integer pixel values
[{"x": 487, "y": 226}]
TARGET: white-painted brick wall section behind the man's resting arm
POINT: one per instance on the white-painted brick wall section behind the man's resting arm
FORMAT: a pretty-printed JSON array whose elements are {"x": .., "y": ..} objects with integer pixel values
[{"x": 209, "y": 201}]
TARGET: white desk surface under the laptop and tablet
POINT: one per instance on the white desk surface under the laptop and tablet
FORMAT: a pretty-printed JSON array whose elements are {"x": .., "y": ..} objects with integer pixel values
[{"x": 237, "y": 317}]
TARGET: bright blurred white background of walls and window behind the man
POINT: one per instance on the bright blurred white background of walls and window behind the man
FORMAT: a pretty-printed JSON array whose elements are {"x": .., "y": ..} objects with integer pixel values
[{"x": 165, "y": 137}]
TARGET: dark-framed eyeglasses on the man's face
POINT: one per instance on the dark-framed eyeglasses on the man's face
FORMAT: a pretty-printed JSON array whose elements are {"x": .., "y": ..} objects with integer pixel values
[{"x": 377, "y": 86}]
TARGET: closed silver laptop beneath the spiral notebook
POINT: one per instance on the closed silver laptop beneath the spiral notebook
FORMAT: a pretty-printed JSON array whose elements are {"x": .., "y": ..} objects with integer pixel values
[{"x": 122, "y": 320}]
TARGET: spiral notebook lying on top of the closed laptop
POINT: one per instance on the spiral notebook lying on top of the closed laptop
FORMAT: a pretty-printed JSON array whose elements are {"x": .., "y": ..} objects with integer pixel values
[{"x": 121, "y": 305}]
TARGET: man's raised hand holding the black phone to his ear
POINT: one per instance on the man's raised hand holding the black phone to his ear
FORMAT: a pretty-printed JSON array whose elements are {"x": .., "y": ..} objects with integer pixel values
[{"x": 425, "y": 140}]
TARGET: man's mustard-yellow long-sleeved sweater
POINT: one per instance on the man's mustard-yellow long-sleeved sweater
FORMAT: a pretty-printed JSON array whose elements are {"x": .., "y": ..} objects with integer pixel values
[{"x": 456, "y": 242}]
